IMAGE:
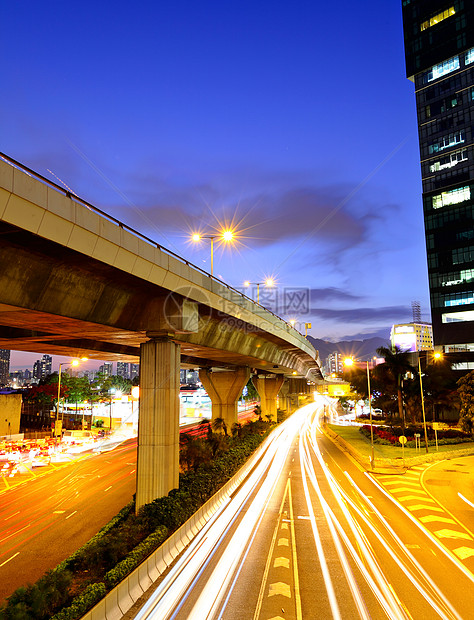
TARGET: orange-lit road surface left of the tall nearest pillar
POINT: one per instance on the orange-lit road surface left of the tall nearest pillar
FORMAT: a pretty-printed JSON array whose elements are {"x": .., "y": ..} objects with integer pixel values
[{"x": 47, "y": 518}]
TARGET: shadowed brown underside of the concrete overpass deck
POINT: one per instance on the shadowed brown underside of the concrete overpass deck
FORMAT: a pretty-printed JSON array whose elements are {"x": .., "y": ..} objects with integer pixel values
[{"x": 56, "y": 300}]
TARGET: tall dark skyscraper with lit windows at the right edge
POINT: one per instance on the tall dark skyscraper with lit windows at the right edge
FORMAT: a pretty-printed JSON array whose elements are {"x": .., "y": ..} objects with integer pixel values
[{"x": 439, "y": 53}]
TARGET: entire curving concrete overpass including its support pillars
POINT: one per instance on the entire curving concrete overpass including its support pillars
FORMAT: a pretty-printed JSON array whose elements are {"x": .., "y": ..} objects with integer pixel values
[{"x": 76, "y": 281}]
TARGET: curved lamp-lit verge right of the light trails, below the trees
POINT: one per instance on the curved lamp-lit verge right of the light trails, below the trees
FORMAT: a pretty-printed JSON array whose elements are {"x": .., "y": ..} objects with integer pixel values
[{"x": 390, "y": 459}]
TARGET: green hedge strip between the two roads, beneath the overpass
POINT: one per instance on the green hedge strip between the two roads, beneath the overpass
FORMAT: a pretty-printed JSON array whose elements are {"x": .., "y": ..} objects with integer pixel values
[{"x": 79, "y": 582}]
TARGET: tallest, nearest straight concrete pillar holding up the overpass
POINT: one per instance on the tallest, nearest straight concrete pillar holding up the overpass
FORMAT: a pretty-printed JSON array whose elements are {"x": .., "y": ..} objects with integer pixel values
[{"x": 158, "y": 428}]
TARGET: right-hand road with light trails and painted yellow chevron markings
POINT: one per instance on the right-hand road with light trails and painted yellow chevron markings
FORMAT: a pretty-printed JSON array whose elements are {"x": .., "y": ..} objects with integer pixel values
[{"x": 311, "y": 535}]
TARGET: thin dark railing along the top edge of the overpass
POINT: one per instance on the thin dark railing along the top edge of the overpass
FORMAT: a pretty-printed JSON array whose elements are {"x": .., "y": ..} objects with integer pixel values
[{"x": 12, "y": 162}]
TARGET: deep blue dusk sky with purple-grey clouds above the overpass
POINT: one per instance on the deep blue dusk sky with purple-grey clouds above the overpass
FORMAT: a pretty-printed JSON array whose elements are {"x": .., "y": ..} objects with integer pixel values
[{"x": 294, "y": 123}]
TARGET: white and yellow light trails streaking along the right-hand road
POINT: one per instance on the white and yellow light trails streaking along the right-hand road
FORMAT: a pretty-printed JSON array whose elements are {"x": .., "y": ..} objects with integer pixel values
[{"x": 343, "y": 518}]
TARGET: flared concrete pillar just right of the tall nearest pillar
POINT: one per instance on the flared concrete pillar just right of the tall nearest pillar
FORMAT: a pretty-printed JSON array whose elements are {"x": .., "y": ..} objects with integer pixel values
[{"x": 224, "y": 389}]
